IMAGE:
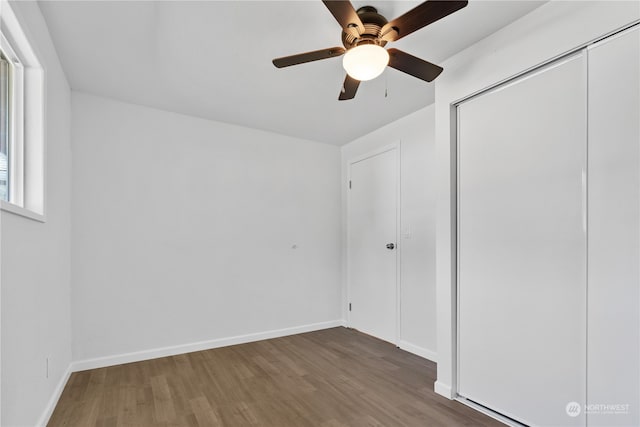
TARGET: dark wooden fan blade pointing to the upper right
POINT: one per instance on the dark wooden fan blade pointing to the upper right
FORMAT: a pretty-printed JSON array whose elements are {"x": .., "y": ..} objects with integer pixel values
[{"x": 418, "y": 17}]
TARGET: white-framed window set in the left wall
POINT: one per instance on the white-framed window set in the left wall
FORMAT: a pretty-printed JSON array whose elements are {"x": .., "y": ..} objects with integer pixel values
[{"x": 21, "y": 120}]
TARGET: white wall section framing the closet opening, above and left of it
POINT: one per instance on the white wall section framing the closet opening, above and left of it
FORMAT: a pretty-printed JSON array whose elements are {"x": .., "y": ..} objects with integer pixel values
[{"x": 549, "y": 31}]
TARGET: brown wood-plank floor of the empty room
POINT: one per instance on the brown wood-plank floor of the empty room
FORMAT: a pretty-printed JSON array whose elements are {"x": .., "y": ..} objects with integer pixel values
[{"x": 335, "y": 377}]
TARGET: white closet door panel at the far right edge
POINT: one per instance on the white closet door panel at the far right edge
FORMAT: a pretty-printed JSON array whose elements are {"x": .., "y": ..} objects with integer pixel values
[{"x": 614, "y": 232}]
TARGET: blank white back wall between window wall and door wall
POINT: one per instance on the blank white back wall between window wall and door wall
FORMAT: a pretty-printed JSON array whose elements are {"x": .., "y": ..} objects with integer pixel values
[{"x": 189, "y": 230}]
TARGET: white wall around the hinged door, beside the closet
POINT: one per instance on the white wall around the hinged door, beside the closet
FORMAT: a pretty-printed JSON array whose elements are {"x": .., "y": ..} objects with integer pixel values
[{"x": 417, "y": 265}]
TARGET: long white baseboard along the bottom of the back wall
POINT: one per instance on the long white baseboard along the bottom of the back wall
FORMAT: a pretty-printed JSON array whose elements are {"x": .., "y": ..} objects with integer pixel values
[{"x": 118, "y": 359}]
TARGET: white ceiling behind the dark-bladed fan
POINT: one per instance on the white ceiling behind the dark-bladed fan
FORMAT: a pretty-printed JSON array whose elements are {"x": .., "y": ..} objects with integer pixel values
[{"x": 212, "y": 59}]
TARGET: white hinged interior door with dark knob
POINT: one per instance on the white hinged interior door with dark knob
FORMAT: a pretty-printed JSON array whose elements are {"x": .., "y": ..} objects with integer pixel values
[{"x": 372, "y": 222}]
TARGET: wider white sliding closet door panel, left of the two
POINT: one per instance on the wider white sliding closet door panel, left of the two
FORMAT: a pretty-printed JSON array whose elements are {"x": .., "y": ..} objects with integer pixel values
[{"x": 522, "y": 246}]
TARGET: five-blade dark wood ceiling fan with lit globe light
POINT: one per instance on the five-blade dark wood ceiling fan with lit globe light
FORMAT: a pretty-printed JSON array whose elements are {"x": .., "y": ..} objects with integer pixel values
[{"x": 365, "y": 33}]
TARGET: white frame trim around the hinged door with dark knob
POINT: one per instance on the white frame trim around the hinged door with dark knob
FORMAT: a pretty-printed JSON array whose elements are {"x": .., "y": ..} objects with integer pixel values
[{"x": 396, "y": 146}]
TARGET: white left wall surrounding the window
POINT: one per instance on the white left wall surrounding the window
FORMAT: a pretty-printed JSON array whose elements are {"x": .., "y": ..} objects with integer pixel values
[{"x": 36, "y": 258}]
